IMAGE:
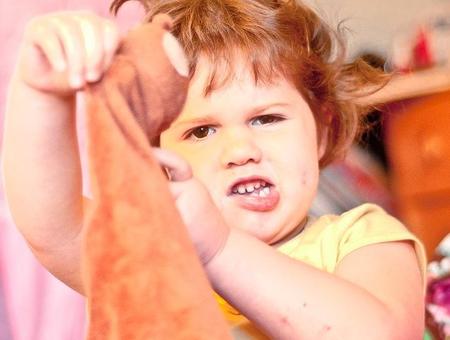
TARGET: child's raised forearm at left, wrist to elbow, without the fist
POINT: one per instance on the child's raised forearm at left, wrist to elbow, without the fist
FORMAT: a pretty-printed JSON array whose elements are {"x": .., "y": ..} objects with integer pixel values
[{"x": 41, "y": 170}]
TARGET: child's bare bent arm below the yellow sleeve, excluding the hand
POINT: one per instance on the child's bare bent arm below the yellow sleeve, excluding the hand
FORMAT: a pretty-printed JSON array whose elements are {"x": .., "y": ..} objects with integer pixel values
[{"x": 376, "y": 292}]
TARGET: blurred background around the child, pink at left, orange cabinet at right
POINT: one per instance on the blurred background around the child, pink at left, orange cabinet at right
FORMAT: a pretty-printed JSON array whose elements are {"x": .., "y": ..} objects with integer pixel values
[{"x": 402, "y": 164}]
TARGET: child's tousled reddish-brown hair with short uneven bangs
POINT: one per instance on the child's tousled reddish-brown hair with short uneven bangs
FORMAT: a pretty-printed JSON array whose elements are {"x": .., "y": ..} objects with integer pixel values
[{"x": 278, "y": 37}]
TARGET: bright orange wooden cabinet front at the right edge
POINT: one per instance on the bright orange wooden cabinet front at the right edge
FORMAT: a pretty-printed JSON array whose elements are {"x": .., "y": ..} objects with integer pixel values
[{"x": 418, "y": 147}]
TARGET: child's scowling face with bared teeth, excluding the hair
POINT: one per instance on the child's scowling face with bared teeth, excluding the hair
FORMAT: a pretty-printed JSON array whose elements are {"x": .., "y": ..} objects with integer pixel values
[{"x": 241, "y": 138}]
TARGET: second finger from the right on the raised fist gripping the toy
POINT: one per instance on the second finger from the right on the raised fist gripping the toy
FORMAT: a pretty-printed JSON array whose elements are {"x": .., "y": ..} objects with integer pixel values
[{"x": 93, "y": 45}]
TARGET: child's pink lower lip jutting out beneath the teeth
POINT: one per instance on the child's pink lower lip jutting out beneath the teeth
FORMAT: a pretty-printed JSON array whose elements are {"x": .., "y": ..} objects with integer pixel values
[{"x": 252, "y": 200}]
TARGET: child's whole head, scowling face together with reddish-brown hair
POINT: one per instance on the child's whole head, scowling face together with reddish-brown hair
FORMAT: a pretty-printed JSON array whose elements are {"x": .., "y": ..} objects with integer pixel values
[{"x": 267, "y": 104}]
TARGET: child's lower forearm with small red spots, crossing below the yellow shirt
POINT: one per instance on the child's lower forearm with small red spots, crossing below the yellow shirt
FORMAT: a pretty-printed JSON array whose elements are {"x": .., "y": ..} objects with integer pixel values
[{"x": 289, "y": 299}]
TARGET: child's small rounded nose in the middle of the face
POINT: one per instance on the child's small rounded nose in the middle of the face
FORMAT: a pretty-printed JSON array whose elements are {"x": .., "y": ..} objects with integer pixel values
[{"x": 239, "y": 148}]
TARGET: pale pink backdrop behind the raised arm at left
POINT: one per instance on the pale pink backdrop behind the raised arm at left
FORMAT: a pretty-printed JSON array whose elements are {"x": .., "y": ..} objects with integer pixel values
[{"x": 33, "y": 304}]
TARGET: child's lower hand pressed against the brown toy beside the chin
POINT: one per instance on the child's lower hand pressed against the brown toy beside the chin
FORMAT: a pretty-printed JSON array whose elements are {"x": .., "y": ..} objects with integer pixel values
[{"x": 203, "y": 220}]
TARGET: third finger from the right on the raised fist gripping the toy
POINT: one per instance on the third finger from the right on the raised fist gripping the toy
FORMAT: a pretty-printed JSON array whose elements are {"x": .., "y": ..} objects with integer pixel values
[{"x": 71, "y": 38}]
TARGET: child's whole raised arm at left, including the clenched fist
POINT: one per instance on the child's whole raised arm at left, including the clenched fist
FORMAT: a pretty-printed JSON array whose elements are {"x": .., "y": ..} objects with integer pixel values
[{"x": 42, "y": 176}]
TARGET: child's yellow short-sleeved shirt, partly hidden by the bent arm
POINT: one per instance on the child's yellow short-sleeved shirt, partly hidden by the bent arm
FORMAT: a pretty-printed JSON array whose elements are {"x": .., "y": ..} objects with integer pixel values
[{"x": 326, "y": 241}]
